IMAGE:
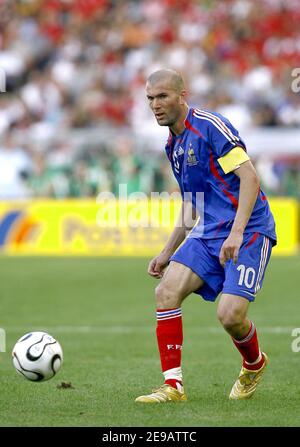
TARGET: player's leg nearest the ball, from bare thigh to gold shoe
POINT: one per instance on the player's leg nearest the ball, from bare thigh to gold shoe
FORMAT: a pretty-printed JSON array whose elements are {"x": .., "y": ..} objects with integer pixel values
[{"x": 178, "y": 282}]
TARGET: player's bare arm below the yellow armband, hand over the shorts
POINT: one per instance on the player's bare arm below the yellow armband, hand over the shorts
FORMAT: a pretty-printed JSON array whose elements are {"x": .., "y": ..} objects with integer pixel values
[{"x": 249, "y": 186}]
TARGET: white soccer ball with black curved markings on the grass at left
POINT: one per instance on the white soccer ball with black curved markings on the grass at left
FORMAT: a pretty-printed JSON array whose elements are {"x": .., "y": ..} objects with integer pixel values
[{"x": 37, "y": 356}]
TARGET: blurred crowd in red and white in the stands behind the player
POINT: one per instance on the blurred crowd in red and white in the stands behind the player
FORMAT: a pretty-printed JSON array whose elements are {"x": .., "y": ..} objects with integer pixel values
[{"x": 82, "y": 64}]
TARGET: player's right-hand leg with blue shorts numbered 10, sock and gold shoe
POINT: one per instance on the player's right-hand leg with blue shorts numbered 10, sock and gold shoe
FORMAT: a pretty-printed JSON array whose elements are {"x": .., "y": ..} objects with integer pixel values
[{"x": 243, "y": 281}]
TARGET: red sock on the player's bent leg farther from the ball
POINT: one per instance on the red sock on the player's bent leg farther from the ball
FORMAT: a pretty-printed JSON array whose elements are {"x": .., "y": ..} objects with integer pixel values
[{"x": 249, "y": 349}]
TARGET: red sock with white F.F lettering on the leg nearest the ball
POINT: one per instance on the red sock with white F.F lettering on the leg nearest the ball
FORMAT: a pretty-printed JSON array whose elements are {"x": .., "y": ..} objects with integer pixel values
[{"x": 169, "y": 339}]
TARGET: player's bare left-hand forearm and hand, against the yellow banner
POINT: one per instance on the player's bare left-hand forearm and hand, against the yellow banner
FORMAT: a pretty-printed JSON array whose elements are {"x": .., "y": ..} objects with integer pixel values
[{"x": 185, "y": 222}]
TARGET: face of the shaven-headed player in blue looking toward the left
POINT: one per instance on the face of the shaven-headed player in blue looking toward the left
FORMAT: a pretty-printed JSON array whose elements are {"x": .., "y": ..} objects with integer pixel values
[{"x": 165, "y": 103}]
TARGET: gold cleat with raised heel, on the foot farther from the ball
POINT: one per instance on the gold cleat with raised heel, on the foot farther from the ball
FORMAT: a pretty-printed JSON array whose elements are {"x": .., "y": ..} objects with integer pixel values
[{"x": 247, "y": 381}]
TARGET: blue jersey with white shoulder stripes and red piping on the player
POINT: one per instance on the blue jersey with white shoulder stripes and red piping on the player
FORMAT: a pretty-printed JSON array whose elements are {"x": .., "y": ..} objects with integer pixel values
[{"x": 194, "y": 155}]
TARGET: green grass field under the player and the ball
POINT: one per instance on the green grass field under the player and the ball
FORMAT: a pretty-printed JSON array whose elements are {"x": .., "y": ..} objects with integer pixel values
[{"x": 102, "y": 311}]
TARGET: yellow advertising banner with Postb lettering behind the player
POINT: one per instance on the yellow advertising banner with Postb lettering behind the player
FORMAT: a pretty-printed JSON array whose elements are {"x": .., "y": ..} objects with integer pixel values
[{"x": 113, "y": 228}]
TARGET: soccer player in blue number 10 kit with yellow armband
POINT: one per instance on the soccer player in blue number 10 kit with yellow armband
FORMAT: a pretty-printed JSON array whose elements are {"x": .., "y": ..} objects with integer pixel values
[{"x": 226, "y": 252}]
